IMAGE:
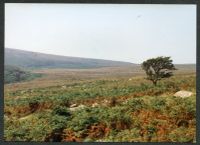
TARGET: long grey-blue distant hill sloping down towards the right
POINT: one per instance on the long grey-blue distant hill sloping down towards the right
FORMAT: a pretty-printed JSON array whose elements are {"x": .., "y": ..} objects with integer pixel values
[{"x": 36, "y": 60}]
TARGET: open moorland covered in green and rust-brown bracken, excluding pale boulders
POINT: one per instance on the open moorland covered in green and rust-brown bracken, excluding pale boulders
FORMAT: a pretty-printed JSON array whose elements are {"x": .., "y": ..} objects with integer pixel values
[{"x": 130, "y": 108}]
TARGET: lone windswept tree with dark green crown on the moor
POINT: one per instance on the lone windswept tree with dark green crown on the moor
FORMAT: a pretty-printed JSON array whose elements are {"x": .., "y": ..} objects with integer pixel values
[{"x": 158, "y": 68}]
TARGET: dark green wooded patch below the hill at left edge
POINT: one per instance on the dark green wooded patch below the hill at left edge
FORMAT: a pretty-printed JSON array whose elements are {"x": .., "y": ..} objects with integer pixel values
[{"x": 13, "y": 74}]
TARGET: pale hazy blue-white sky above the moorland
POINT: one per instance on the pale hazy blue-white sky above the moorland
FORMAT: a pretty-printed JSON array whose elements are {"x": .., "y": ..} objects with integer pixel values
[{"x": 122, "y": 32}]
